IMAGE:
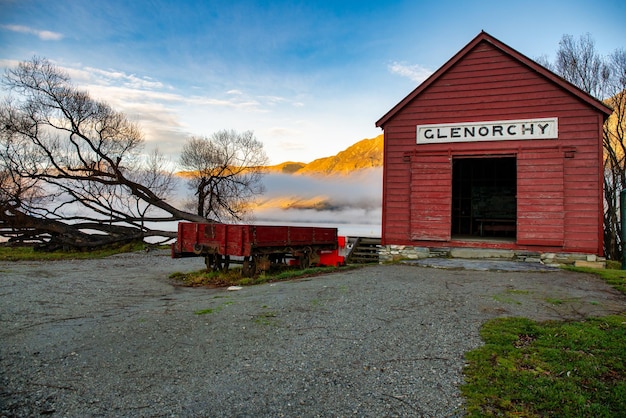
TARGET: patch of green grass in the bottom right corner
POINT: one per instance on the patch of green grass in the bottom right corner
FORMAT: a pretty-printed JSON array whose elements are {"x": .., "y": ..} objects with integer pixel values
[{"x": 564, "y": 369}]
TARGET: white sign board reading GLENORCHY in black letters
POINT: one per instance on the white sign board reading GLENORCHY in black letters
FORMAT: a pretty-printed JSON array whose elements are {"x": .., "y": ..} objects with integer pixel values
[{"x": 547, "y": 128}]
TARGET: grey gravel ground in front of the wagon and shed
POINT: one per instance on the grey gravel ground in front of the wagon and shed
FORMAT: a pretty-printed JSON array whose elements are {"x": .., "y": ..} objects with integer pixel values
[{"x": 114, "y": 337}]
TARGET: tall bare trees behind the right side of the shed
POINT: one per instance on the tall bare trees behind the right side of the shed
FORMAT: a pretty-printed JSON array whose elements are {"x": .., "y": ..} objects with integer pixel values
[{"x": 604, "y": 78}]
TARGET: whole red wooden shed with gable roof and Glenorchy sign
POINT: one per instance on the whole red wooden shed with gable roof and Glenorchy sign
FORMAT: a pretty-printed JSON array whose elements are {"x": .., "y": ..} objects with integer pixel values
[{"x": 494, "y": 151}]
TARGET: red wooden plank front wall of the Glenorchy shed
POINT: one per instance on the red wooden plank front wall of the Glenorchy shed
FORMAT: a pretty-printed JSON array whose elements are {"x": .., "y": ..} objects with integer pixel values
[{"x": 559, "y": 198}]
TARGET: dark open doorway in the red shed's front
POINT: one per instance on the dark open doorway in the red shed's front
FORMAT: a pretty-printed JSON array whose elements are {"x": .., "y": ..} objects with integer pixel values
[{"x": 484, "y": 203}]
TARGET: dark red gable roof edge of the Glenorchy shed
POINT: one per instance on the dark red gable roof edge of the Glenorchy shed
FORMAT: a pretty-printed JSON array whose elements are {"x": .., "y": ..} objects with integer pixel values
[{"x": 485, "y": 37}]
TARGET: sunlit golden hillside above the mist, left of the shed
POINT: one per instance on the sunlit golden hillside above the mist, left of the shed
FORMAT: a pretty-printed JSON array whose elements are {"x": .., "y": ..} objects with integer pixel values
[{"x": 366, "y": 153}]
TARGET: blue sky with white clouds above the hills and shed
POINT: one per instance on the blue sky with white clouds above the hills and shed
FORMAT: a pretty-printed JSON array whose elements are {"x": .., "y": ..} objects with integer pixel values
[{"x": 309, "y": 78}]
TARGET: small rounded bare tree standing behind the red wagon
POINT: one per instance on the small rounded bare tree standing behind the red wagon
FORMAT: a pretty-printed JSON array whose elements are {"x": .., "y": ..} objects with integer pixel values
[{"x": 225, "y": 173}]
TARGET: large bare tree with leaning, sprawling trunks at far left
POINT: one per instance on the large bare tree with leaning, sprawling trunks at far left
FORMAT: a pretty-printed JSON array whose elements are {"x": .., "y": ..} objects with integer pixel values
[{"x": 71, "y": 172}]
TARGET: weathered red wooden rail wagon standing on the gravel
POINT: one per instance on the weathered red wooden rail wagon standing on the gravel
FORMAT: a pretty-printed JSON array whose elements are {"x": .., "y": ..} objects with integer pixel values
[{"x": 257, "y": 247}]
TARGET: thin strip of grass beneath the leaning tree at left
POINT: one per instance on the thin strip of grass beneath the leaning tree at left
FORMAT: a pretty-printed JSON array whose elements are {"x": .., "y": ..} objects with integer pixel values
[{"x": 29, "y": 254}]
